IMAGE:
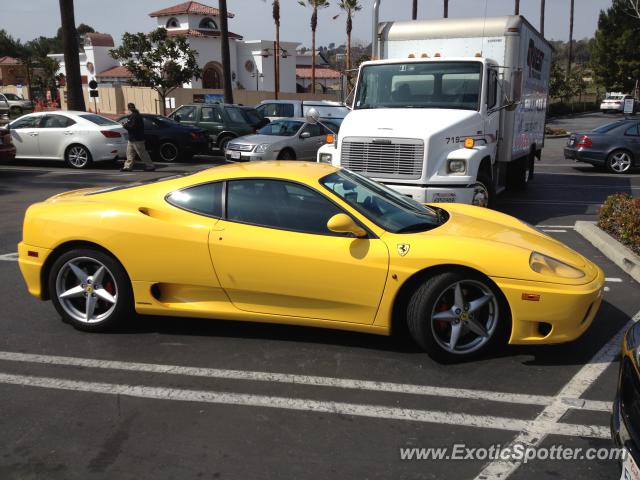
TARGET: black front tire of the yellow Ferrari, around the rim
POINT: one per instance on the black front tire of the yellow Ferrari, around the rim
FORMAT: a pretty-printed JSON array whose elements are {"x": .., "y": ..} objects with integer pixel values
[{"x": 430, "y": 333}]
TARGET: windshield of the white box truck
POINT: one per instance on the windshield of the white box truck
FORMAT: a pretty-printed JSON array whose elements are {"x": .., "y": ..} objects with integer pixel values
[{"x": 454, "y": 85}]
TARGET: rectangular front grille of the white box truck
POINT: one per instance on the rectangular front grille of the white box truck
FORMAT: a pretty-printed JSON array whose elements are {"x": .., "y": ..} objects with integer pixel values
[{"x": 384, "y": 157}]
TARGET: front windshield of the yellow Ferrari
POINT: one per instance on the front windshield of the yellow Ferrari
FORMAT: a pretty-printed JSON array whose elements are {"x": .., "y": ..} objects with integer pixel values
[{"x": 385, "y": 207}]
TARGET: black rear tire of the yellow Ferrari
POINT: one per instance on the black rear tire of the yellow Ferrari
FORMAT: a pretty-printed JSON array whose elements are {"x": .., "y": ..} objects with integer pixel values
[{"x": 114, "y": 281}]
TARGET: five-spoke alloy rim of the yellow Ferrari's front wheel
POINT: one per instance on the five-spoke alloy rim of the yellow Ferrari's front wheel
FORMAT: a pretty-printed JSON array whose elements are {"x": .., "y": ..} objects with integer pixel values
[{"x": 464, "y": 317}]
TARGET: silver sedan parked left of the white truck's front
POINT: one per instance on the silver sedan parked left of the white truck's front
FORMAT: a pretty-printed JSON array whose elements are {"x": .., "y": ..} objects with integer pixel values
[{"x": 283, "y": 139}]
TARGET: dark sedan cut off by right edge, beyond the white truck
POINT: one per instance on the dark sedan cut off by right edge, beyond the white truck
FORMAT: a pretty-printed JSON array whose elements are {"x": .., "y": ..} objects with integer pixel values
[{"x": 615, "y": 146}]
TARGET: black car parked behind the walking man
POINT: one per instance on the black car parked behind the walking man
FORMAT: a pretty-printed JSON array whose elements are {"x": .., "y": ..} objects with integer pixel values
[{"x": 169, "y": 141}]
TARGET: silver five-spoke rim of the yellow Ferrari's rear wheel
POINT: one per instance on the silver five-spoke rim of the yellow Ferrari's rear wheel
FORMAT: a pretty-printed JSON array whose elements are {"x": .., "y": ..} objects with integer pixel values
[{"x": 86, "y": 290}]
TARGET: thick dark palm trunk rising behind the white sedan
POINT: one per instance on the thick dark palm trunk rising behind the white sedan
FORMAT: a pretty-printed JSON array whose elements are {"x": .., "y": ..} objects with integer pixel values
[{"x": 75, "y": 97}]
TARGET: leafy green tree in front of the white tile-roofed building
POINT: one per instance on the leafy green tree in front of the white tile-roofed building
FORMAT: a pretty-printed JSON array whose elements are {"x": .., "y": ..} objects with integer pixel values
[{"x": 158, "y": 60}]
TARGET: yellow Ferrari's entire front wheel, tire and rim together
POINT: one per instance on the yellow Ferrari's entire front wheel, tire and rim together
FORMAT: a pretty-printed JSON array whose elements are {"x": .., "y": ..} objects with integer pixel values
[{"x": 457, "y": 316}]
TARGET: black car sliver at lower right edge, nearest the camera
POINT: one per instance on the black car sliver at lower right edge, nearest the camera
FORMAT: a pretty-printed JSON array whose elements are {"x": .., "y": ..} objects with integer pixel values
[{"x": 625, "y": 420}]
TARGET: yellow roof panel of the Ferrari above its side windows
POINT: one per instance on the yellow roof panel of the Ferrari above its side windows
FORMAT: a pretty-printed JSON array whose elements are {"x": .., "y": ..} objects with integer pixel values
[{"x": 304, "y": 172}]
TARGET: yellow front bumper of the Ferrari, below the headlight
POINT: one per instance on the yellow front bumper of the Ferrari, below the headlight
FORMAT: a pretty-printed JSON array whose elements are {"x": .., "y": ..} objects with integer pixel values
[{"x": 562, "y": 313}]
